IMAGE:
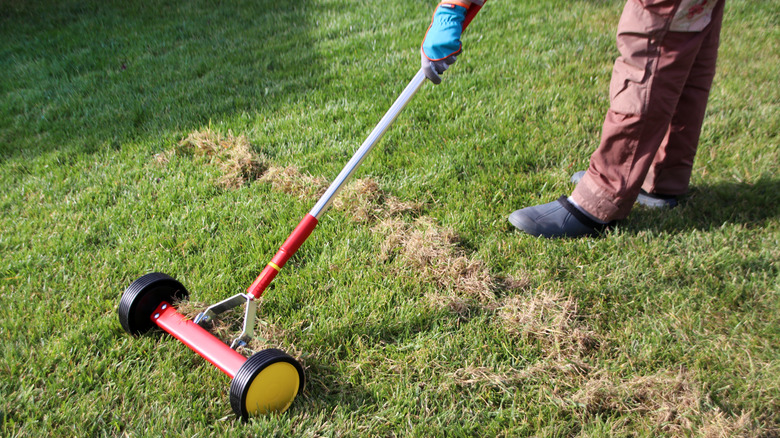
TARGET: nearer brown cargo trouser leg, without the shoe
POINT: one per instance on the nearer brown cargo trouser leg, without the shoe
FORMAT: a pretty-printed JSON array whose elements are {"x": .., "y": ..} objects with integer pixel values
[{"x": 639, "y": 117}]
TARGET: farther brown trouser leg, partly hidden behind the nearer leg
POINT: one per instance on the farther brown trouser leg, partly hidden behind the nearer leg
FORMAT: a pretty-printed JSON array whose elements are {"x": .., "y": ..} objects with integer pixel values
[{"x": 670, "y": 171}]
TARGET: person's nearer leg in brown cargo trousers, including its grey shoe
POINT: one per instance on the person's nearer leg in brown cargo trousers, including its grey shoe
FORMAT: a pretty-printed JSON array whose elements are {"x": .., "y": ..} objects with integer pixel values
[{"x": 647, "y": 81}]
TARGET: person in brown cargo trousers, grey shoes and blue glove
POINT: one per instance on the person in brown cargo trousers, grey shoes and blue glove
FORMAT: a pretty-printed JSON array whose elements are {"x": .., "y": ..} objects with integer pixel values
[{"x": 658, "y": 95}]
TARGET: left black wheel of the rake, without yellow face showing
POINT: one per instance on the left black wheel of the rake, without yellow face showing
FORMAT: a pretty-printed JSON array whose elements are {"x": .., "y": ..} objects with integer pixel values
[{"x": 143, "y": 296}]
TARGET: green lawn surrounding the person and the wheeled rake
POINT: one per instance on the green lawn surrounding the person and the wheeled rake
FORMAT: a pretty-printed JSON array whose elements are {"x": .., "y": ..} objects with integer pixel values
[{"x": 668, "y": 325}]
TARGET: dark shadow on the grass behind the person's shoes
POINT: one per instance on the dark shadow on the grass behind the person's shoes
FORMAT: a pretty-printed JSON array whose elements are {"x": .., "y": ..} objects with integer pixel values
[{"x": 711, "y": 206}]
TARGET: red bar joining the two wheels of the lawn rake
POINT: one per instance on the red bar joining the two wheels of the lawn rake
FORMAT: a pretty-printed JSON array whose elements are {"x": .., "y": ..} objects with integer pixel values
[{"x": 198, "y": 339}]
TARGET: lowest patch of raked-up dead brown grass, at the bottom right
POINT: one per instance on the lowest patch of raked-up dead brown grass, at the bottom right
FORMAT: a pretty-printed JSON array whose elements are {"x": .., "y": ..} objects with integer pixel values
[{"x": 670, "y": 402}]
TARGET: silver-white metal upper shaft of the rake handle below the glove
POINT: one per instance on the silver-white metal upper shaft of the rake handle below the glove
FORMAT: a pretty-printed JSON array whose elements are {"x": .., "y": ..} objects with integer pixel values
[{"x": 324, "y": 203}]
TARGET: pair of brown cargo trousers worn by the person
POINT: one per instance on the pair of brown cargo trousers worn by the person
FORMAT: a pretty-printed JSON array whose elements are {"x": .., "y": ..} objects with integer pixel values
[{"x": 658, "y": 95}]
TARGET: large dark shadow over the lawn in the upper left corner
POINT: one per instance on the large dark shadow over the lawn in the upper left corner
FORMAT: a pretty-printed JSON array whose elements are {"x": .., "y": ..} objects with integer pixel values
[{"x": 80, "y": 76}]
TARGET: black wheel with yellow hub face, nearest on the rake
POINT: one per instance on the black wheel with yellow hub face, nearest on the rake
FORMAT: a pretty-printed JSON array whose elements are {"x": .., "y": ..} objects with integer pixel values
[{"x": 267, "y": 382}]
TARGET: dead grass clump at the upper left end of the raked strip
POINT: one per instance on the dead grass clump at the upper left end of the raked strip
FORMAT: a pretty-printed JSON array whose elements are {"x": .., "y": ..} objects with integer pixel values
[{"x": 233, "y": 155}]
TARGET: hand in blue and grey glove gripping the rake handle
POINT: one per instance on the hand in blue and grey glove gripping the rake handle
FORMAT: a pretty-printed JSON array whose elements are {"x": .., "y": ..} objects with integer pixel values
[{"x": 441, "y": 44}]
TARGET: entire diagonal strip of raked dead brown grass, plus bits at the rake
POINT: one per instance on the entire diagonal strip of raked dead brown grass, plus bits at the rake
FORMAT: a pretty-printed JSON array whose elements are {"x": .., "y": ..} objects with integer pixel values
[{"x": 671, "y": 402}]
